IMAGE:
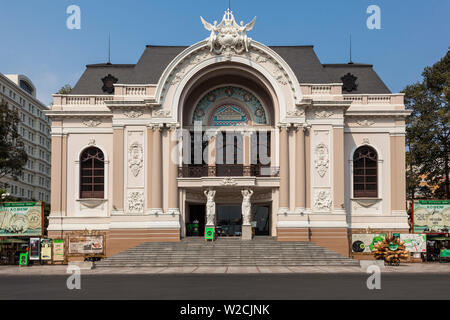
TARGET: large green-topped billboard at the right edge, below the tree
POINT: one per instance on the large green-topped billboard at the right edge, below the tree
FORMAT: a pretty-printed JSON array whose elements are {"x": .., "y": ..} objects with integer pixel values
[{"x": 431, "y": 216}]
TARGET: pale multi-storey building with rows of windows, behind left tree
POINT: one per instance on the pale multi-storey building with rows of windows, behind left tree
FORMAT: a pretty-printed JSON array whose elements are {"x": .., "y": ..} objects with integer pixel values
[{"x": 20, "y": 94}]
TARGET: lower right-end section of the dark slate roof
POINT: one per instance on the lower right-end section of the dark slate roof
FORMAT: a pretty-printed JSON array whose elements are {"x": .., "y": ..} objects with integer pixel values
[{"x": 367, "y": 80}]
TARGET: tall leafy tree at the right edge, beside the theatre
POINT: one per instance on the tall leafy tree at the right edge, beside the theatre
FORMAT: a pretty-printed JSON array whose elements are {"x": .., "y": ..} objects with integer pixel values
[{"x": 428, "y": 130}]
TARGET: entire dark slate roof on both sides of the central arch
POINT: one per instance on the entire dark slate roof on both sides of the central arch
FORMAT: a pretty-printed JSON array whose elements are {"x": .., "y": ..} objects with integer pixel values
[{"x": 302, "y": 60}]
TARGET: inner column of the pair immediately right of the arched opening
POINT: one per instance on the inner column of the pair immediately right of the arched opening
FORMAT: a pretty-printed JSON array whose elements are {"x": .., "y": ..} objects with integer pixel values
[{"x": 284, "y": 169}]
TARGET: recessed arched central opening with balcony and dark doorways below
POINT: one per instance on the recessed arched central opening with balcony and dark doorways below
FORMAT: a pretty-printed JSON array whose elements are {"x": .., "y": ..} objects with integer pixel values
[{"x": 229, "y": 117}]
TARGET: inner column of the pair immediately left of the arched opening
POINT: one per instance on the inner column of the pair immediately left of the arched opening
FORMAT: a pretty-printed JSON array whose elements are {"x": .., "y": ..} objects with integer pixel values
[{"x": 173, "y": 169}]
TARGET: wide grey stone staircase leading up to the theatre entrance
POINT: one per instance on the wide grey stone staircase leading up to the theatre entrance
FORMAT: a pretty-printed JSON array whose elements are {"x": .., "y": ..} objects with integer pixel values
[{"x": 261, "y": 251}]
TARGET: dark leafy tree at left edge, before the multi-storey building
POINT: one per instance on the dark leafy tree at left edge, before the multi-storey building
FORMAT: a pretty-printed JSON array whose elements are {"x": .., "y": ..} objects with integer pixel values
[{"x": 12, "y": 150}]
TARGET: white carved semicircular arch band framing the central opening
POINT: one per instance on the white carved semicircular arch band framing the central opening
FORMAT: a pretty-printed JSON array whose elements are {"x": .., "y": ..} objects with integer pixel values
[{"x": 262, "y": 63}]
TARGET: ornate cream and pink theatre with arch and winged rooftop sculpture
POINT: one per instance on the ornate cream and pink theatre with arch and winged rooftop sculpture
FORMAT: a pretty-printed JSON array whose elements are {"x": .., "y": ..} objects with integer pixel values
[{"x": 233, "y": 134}]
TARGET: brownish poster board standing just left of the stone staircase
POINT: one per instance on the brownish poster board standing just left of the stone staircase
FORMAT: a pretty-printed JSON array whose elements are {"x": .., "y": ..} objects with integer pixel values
[{"x": 86, "y": 244}]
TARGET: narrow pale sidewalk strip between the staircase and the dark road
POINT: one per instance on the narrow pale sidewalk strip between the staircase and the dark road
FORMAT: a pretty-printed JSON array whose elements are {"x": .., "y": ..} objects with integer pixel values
[{"x": 61, "y": 270}]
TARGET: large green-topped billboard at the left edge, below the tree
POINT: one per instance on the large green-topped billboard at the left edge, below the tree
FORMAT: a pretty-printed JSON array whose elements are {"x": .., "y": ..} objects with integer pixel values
[{"x": 21, "y": 219}]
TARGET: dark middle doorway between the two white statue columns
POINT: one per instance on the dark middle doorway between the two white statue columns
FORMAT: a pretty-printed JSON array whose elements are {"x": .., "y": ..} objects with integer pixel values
[{"x": 229, "y": 220}]
